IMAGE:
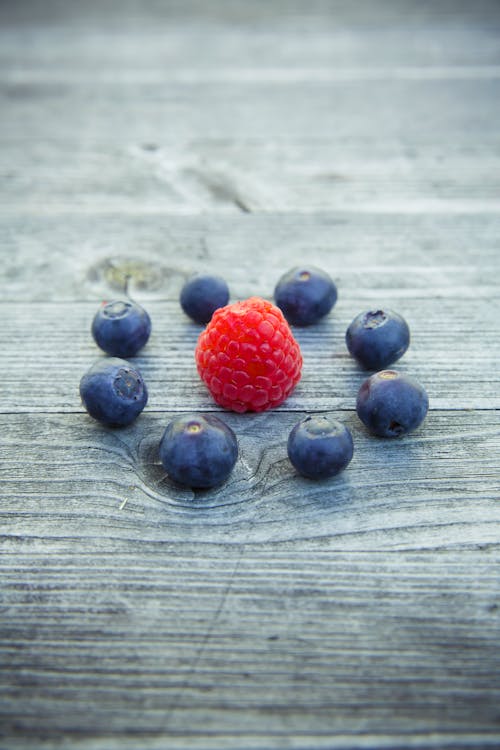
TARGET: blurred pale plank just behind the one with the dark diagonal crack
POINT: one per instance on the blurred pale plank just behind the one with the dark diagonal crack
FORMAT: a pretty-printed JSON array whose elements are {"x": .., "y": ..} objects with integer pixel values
[{"x": 441, "y": 111}]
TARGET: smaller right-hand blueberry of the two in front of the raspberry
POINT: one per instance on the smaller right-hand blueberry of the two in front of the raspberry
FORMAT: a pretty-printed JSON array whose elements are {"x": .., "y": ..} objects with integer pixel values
[{"x": 319, "y": 447}]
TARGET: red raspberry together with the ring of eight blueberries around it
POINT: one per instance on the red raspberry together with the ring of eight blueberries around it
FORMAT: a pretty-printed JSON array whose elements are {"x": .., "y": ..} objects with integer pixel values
[{"x": 249, "y": 360}]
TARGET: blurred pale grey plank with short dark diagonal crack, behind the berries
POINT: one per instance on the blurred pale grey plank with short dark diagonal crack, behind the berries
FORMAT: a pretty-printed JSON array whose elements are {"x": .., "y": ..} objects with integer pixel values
[{"x": 229, "y": 176}]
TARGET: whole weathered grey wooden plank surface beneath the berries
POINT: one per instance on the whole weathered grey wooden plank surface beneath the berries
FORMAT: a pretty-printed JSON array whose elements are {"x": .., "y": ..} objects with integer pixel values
[{"x": 154, "y": 139}]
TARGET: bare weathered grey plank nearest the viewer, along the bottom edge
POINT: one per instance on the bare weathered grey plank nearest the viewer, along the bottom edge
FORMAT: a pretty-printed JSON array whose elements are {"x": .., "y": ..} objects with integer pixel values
[{"x": 204, "y": 652}]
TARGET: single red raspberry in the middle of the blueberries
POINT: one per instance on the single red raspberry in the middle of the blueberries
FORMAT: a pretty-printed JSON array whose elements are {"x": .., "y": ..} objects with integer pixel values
[{"x": 248, "y": 357}]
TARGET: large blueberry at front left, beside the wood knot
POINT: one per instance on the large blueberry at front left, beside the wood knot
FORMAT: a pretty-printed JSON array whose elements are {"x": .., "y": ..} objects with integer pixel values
[{"x": 198, "y": 451}]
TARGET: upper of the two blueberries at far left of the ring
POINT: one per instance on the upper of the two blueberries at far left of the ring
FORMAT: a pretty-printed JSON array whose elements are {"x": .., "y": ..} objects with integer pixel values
[{"x": 121, "y": 328}]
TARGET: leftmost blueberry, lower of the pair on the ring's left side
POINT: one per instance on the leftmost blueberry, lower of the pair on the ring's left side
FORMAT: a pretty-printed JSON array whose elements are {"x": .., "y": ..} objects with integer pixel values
[{"x": 113, "y": 392}]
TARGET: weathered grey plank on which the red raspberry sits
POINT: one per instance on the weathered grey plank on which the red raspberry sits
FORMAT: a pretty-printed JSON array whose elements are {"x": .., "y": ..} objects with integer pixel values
[{"x": 450, "y": 354}]
